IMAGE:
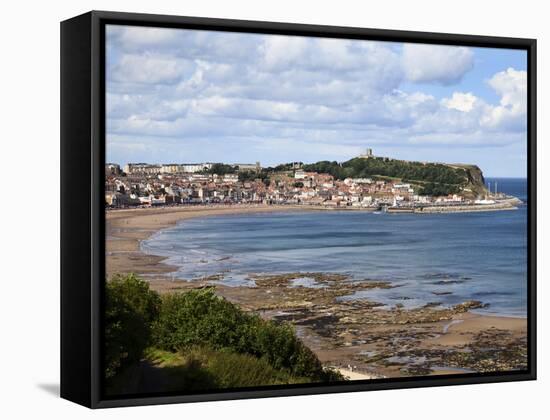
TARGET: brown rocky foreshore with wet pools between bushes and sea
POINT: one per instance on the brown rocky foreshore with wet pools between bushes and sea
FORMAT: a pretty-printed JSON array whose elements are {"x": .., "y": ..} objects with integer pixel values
[{"x": 380, "y": 341}]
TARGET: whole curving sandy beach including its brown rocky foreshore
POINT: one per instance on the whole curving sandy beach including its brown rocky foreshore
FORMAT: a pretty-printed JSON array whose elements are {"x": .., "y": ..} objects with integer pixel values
[{"x": 374, "y": 342}]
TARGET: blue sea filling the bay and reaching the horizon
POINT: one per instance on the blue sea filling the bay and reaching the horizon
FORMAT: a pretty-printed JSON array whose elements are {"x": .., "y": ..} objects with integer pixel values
[{"x": 447, "y": 258}]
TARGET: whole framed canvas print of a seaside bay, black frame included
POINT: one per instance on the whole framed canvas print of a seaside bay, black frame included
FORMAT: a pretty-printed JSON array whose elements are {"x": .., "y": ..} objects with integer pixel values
[{"x": 255, "y": 209}]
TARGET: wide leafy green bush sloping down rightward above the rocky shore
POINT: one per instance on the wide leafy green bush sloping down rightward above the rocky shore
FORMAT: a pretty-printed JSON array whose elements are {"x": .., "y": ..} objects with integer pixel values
[{"x": 200, "y": 318}]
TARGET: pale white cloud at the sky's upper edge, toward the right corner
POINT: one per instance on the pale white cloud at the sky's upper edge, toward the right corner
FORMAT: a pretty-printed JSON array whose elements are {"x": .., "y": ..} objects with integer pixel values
[{"x": 436, "y": 63}]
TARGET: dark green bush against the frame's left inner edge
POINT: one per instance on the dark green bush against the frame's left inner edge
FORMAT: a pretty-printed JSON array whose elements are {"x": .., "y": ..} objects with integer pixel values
[{"x": 130, "y": 308}]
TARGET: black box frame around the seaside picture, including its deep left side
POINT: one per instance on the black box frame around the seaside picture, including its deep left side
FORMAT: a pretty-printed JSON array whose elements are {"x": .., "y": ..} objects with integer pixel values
[{"x": 83, "y": 220}]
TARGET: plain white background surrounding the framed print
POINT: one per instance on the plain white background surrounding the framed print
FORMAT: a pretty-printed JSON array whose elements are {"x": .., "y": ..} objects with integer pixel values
[{"x": 29, "y": 206}]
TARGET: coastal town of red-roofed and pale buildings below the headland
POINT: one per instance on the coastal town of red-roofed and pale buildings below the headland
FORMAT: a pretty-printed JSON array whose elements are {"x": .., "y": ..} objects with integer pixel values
[{"x": 145, "y": 185}]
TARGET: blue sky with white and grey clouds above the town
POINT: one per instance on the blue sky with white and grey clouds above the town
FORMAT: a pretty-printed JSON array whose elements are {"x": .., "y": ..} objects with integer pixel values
[{"x": 177, "y": 95}]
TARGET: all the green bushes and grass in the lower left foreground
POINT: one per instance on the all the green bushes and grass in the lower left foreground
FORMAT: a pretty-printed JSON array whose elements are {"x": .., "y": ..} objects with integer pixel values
[{"x": 199, "y": 341}]
